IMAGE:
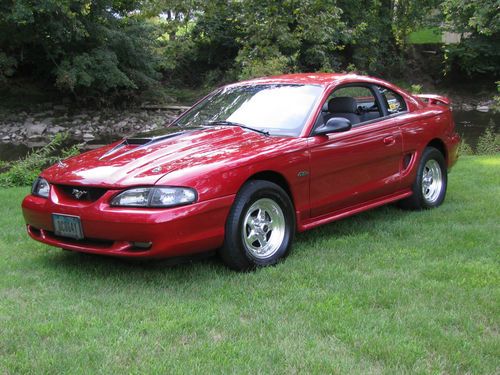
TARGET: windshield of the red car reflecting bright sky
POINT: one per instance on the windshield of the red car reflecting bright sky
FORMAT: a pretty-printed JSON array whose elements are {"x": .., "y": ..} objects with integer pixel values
[{"x": 279, "y": 109}]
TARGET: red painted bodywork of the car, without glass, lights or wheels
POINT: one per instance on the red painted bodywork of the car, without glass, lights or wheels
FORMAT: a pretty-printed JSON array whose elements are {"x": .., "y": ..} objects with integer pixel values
[{"x": 328, "y": 177}]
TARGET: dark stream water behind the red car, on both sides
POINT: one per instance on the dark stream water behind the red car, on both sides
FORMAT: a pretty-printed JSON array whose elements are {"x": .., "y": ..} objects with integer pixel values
[{"x": 469, "y": 124}]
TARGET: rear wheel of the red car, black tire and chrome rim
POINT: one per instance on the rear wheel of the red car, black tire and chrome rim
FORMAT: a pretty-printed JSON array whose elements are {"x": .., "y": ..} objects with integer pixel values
[{"x": 429, "y": 188}]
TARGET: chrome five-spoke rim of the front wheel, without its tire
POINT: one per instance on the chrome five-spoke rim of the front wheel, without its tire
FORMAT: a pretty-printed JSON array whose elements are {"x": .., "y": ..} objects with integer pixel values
[{"x": 263, "y": 228}]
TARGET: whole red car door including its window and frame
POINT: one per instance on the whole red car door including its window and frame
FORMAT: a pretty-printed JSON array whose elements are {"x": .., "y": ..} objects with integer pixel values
[{"x": 359, "y": 165}]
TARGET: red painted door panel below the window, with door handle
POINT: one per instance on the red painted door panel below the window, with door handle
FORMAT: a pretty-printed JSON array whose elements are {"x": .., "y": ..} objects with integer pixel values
[{"x": 353, "y": 177}]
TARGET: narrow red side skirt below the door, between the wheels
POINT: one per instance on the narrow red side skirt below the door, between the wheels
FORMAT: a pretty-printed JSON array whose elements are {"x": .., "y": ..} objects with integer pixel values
[{"x": 340, "y": 214}]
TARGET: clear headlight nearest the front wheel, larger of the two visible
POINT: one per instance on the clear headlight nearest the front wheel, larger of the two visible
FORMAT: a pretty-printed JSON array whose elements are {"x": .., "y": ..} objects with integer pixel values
[{"x": 155, "y": 197}]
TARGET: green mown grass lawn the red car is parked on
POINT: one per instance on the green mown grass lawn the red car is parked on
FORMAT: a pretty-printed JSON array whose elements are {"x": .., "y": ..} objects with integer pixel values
[{"x": 386, "y": 291}]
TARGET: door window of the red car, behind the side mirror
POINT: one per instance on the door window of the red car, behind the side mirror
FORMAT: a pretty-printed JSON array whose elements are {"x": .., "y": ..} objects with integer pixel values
[{"x": 356, "y": 103}]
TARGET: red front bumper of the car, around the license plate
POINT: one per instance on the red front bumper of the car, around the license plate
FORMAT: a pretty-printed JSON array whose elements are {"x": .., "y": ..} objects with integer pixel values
[{"x": 114, "y": 230}]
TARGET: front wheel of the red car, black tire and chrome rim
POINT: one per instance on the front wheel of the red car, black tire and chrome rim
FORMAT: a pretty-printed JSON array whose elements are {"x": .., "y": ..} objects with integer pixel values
[{"x": 260, "y": 227}]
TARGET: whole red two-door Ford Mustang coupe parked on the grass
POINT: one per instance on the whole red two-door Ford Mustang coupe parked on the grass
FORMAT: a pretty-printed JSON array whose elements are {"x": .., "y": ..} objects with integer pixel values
[{"x": 248, "y": 166}]
